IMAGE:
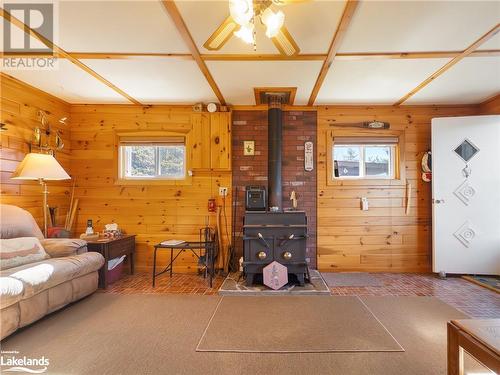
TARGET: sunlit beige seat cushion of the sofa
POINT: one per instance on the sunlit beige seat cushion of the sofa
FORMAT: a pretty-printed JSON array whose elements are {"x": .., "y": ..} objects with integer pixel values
[{"x": 40, "y": 276}]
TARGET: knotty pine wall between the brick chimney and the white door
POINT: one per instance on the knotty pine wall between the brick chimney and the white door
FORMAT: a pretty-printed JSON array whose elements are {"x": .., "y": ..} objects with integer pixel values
[{"x": 384, "y": 238}]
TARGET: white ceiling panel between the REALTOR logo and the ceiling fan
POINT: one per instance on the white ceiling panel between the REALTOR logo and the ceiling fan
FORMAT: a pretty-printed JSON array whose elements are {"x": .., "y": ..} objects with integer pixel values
[{"x": 117, "y": 26}]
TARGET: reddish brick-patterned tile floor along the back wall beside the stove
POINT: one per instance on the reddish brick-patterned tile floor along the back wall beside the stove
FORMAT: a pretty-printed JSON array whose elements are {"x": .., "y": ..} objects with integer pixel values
[{"x": 476, "y": 301}]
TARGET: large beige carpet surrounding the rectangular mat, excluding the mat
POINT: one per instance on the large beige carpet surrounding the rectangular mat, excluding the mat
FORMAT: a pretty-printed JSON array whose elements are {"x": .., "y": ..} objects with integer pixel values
[{"x": 158, "y": 334}]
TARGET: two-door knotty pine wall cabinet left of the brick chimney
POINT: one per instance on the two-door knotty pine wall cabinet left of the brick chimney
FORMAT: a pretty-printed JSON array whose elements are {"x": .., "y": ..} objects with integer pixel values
[{"x": 211, "y": 141}]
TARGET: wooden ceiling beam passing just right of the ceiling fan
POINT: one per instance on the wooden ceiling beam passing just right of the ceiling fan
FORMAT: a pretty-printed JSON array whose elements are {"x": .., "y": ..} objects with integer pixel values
[{"x": 345, "y": 20}]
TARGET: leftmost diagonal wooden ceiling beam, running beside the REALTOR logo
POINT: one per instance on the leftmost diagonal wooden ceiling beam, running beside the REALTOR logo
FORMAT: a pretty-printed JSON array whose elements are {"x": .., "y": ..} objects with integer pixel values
[{"x": 60, "y": 52}]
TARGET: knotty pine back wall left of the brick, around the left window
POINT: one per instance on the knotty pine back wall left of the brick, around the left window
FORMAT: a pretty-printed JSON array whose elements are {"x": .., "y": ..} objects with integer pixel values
[{"x": 154, "y": 211}]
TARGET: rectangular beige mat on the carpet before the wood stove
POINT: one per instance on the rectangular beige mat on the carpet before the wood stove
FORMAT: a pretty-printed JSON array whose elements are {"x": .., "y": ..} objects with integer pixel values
[{"x": 295, "y": 324}]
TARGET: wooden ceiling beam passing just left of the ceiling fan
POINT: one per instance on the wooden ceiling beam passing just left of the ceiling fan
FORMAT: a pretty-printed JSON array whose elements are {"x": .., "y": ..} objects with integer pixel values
[{"x": 174, "y": 13}]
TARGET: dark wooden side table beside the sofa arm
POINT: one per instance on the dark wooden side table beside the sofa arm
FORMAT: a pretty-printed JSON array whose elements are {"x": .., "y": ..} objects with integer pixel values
[{"x": 110, "y": 249}]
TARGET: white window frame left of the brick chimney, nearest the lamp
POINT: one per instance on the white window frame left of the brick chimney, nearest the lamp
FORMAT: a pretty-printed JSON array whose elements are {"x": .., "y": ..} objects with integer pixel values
[{"x": 123, "y": 161}]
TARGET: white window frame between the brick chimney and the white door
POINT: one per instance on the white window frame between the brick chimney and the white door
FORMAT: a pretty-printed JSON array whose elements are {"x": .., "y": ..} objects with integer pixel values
[{"x": 362, "y": 165}]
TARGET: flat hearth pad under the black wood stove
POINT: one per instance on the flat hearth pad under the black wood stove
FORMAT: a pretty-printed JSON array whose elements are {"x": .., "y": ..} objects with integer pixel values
[{"x": 234, "y": 284}]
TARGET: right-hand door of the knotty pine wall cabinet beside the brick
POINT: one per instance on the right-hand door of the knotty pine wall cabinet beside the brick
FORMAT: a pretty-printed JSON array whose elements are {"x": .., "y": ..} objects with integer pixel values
[{"x": 220, "y": 129}]
